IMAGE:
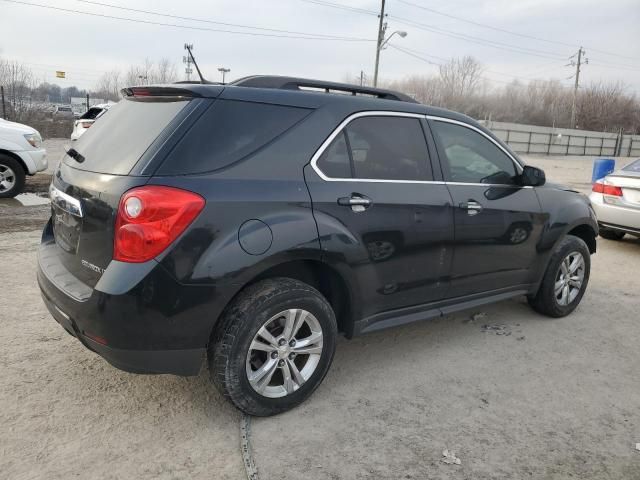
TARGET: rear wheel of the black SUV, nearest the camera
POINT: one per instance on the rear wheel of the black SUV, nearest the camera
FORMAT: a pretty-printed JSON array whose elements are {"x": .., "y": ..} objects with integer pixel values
[{"x": 273, "y": 346}]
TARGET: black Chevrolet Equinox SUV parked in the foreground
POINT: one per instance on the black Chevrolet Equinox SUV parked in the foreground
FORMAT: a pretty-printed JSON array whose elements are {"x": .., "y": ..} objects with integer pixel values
[{"x": 255, "y": 221}]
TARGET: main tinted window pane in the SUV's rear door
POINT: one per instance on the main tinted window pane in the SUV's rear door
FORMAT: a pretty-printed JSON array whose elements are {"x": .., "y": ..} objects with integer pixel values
[{"x": 388, "y": 148}]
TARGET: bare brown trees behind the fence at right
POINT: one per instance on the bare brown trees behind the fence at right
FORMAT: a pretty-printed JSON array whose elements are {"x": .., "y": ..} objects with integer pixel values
[{"x": 459, "y": 85}]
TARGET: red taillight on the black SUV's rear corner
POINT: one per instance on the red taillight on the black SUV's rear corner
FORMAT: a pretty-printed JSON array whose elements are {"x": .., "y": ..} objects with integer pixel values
[{"x": 150, "y": 218}]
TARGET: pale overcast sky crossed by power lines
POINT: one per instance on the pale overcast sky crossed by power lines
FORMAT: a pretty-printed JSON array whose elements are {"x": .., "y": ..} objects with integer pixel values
[{"x": 85, "y": 46}]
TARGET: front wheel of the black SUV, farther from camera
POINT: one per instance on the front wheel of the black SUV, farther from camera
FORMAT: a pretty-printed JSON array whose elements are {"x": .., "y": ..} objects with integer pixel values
[{"x": 558, "y": 294}]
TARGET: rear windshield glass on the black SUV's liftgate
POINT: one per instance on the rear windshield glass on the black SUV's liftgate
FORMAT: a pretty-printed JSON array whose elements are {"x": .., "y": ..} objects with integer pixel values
[{"x": 115, "y": 143}]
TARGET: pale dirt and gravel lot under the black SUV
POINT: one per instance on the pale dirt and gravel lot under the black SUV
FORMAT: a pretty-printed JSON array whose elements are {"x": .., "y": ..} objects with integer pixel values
[{"x": 545, "y": 399}]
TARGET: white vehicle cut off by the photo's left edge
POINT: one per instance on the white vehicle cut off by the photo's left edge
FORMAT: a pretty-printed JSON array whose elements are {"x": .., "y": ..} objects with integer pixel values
[{"x": 21, "y": 154}]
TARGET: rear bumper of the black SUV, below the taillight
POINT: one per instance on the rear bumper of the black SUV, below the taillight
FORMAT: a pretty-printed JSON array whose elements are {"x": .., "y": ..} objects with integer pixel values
[{"x": 156, "y": 325}]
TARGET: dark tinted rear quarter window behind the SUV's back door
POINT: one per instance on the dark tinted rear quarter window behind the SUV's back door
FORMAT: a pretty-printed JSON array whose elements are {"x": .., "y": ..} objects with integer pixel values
[{"x": 228, "y": 132}]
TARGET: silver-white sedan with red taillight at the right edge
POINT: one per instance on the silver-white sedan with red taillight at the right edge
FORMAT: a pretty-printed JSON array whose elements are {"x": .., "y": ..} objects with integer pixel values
[{"x": 616, "y": 201}]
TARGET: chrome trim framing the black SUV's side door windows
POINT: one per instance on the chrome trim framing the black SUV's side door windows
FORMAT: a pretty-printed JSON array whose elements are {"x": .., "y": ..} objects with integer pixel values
[{"x": 376, "y": 113}]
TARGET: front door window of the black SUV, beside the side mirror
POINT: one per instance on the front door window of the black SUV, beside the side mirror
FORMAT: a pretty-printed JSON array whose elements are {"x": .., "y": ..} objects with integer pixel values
[{"x": 471, "y": 157}]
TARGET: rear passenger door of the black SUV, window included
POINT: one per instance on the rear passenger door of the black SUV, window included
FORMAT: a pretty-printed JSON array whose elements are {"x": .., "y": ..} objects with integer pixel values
[{"x": 379, "y": 213}]
